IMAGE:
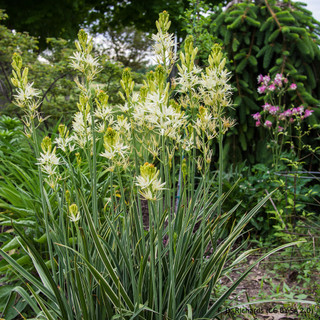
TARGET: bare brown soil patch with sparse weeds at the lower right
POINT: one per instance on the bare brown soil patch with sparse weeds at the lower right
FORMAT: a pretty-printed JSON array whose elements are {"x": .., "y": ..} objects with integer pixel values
[{"x": 261, "y": 284}]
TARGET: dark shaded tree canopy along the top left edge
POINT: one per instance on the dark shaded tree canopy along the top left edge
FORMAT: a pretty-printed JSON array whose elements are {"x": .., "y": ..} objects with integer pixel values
[{"x": 63, "y": 18}]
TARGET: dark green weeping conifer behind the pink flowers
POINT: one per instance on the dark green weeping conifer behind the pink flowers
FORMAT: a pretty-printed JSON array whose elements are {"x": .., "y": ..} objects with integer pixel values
[{"x": 267, "y": 38}]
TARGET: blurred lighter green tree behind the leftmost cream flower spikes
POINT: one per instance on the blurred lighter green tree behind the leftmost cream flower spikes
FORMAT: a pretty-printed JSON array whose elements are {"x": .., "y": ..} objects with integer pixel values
[{"x": 50, "y": 71}]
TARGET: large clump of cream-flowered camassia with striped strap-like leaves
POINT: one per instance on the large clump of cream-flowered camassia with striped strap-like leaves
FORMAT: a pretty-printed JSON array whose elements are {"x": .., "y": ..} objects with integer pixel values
[{"x": 132, "y": 229}]
